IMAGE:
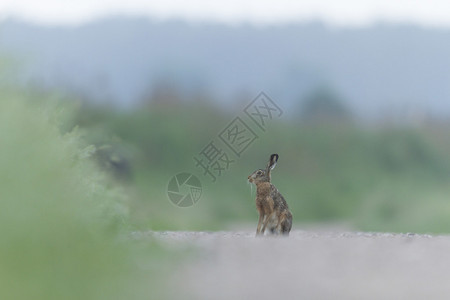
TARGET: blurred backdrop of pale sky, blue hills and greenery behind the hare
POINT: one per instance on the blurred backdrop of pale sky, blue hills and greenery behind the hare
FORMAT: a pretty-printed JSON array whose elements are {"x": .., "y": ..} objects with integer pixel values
[{"x": 364, "y": 134}]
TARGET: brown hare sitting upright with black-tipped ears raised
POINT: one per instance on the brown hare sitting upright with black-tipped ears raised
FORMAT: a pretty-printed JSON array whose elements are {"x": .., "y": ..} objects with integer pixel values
[{"x": 273, "y": 209}]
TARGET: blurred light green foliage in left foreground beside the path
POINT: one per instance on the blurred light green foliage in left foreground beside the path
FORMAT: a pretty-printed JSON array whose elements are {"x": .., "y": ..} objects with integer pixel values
[{"x": 61, "y": 217}]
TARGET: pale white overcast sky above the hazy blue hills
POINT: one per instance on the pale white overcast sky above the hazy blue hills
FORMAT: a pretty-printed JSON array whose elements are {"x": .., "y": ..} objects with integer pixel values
[{"x": 434, "y": 13}]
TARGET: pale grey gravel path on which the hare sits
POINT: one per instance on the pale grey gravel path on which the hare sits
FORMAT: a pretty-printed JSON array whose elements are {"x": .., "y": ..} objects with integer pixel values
[{"x": 312, "y": 264}]
